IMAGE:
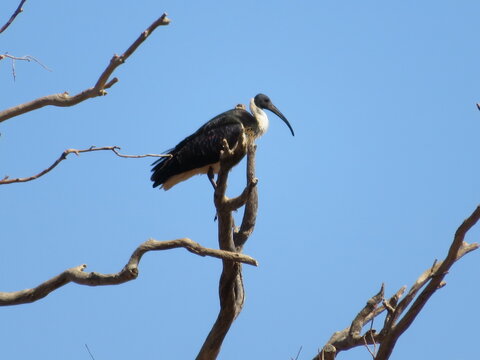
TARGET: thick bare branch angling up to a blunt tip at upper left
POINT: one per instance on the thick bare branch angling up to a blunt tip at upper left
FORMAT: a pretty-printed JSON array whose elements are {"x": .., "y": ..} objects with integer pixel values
[{"x": 101, "y": 85}]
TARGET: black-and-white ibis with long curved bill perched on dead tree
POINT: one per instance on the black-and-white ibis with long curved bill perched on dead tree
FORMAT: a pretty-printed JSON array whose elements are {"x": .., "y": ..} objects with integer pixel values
[{"x": 199, "y": 153}]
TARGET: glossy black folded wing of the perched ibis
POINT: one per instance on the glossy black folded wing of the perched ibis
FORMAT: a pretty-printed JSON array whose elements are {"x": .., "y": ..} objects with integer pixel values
[{"x": 202, "y": 147}]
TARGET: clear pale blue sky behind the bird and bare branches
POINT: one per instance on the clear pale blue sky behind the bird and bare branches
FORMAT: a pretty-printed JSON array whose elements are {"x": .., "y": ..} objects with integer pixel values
[{"x": 382, "y": 170}]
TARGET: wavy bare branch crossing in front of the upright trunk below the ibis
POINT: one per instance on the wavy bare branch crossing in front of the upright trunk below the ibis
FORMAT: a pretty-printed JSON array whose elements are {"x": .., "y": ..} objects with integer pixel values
[{"x": 128, "y": 273}]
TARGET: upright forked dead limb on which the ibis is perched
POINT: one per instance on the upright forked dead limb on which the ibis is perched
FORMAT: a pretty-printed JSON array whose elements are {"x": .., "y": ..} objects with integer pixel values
[{"x": 231, "y": 291}]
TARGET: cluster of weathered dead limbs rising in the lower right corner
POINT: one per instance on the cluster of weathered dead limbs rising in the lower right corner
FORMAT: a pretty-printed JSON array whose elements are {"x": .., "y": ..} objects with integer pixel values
[{"x": 397, "y": 321}]
